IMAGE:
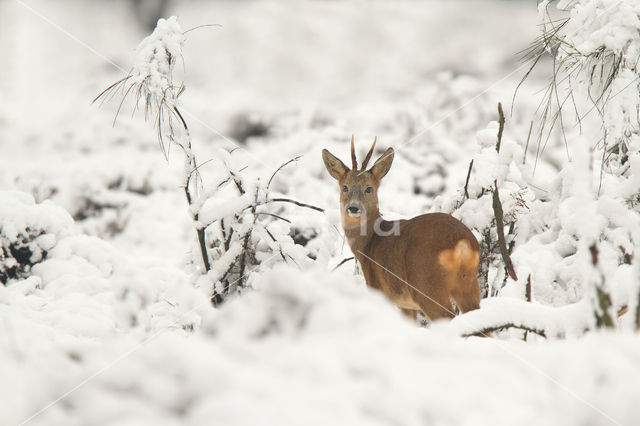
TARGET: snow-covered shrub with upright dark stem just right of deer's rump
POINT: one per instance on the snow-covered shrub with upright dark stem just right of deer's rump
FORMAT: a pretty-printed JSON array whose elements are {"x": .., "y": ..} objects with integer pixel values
[{"x": 571, "y": 247}]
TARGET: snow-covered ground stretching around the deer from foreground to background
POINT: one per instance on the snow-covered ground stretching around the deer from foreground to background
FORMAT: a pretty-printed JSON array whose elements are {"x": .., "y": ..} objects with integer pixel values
[{"x": 112, "y": 327}]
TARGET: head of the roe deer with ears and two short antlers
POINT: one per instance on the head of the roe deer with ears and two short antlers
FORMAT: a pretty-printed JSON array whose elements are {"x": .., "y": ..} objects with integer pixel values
[{"x": 358, "y": 188}]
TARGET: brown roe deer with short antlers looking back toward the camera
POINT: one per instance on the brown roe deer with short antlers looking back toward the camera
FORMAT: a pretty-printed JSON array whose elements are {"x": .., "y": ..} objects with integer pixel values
[{"x": 420, "y": 263}]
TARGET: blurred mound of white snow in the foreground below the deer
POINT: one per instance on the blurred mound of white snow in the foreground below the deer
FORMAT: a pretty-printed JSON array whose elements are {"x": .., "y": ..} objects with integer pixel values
[{"x": 315, "y": 347}]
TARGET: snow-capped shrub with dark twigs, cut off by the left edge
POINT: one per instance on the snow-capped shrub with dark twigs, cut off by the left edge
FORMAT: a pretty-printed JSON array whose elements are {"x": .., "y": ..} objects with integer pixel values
[{"x": 28, "y": 231}]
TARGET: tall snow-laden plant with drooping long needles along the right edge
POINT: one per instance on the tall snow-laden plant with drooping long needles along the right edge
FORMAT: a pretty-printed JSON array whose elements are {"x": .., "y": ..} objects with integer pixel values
[{"x": 596, "y": 51}]
